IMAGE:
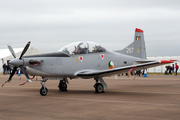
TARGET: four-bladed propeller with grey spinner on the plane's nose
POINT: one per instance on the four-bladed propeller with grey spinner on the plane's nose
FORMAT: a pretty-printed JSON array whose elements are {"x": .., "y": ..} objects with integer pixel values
[{"x": 18, "y": 62}]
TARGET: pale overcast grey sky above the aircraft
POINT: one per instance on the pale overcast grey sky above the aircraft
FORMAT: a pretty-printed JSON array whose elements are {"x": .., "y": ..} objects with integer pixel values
[{"x": 52, "y": 24}]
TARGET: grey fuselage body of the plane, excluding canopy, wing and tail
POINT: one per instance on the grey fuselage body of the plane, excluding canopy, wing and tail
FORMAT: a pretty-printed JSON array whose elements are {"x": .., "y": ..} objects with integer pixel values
[{"x": 70, "y": 65}]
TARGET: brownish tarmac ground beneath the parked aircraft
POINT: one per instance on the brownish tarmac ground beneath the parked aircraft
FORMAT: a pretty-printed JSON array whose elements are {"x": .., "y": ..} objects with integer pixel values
[{"x": 156, "y": 97}]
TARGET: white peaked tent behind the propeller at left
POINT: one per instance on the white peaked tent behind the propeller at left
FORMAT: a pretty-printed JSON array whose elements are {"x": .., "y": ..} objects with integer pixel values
[{"x": 6, "y": 55}]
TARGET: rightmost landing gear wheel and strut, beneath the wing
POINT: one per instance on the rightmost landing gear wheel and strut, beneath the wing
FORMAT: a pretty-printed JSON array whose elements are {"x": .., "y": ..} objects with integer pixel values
[{"x": 99, "y": 87}]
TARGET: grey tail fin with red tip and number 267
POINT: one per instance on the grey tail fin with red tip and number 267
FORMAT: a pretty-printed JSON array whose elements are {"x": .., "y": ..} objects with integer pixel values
[{"x": 137, "y": 48}]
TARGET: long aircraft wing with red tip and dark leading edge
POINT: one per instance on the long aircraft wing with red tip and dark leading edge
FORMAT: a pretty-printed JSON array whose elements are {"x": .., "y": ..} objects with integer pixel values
[{"x": 120, "y": 70}]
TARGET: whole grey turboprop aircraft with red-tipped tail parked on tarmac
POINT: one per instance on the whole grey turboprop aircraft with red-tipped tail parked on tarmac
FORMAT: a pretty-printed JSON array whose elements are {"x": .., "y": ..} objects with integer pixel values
[{"x": 84, "y": 60}]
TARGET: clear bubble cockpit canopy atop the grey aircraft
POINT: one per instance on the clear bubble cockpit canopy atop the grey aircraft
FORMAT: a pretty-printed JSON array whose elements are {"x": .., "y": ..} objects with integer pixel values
[{"x": 82, "y": 48}]
